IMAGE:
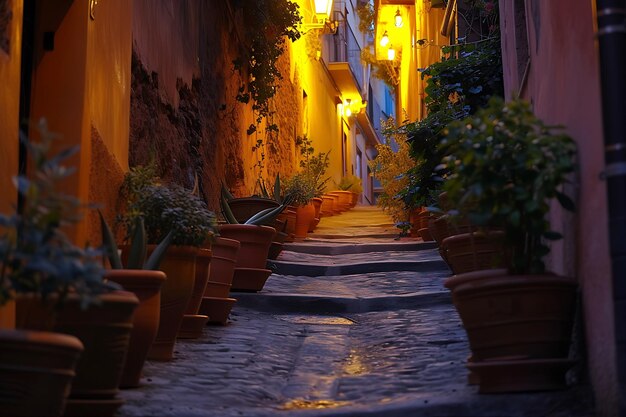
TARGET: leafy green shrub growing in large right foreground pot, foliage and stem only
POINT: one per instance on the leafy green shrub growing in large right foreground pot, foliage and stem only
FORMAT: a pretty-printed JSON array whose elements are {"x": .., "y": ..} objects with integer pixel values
[{"x": 504, "y": 167}]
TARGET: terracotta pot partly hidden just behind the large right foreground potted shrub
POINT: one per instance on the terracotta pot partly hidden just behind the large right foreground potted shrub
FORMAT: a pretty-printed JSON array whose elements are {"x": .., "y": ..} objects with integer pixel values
[{"x": 474, "y": 251}]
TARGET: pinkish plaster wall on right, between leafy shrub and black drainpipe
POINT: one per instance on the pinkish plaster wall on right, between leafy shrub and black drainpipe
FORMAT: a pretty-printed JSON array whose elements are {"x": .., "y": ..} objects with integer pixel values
[{"x": 563, "y": 87}]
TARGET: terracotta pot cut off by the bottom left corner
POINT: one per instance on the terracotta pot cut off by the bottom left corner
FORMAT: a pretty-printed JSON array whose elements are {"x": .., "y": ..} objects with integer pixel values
[{"x": 36, "y": 371}]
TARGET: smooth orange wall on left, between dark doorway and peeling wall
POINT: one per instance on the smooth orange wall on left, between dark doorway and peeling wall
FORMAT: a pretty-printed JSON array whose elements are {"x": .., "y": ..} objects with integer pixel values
[{"x": 84, "y": 84}]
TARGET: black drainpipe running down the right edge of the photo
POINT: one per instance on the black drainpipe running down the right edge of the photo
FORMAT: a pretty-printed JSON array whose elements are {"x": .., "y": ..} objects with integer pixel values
[{"x": 611, "y": 15}]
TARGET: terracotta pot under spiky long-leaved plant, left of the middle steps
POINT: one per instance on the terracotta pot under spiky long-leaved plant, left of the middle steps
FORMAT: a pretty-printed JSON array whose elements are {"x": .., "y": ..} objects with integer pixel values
[{"x": 255, "y": 243}]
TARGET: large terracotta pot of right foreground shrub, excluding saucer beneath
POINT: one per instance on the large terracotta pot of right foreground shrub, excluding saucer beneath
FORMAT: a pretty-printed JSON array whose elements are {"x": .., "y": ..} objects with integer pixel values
[{"x": 515, "y": 316}]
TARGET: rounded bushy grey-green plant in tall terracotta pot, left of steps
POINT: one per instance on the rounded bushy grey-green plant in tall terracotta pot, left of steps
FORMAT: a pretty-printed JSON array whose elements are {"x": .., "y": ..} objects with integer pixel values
[{"x": 168, "y": 208}]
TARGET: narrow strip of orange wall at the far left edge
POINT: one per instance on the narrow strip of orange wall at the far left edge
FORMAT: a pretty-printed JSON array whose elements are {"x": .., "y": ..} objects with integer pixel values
[{"x": 9, "y": 119}]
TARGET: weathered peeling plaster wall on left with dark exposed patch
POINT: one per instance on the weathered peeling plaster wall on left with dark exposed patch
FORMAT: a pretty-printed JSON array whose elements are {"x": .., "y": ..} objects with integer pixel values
[{"x": 183, "y": 108}]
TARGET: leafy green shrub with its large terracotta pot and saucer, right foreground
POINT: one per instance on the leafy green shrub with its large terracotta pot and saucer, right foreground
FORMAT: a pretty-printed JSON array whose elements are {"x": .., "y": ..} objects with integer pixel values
[{"x": 505, "y": 168}]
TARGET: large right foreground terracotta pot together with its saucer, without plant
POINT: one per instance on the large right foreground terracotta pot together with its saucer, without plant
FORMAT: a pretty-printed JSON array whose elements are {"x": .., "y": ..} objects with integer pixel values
[{"x": 519, "y": 328}]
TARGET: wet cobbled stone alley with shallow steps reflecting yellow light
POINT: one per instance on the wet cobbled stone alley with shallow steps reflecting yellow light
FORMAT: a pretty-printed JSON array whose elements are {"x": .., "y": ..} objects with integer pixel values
[{"x": 379, "y": 342}]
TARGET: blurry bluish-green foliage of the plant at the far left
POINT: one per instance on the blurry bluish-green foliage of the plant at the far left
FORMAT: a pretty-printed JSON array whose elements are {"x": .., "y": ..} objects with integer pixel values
[{"x": 36, "y": 257}]
